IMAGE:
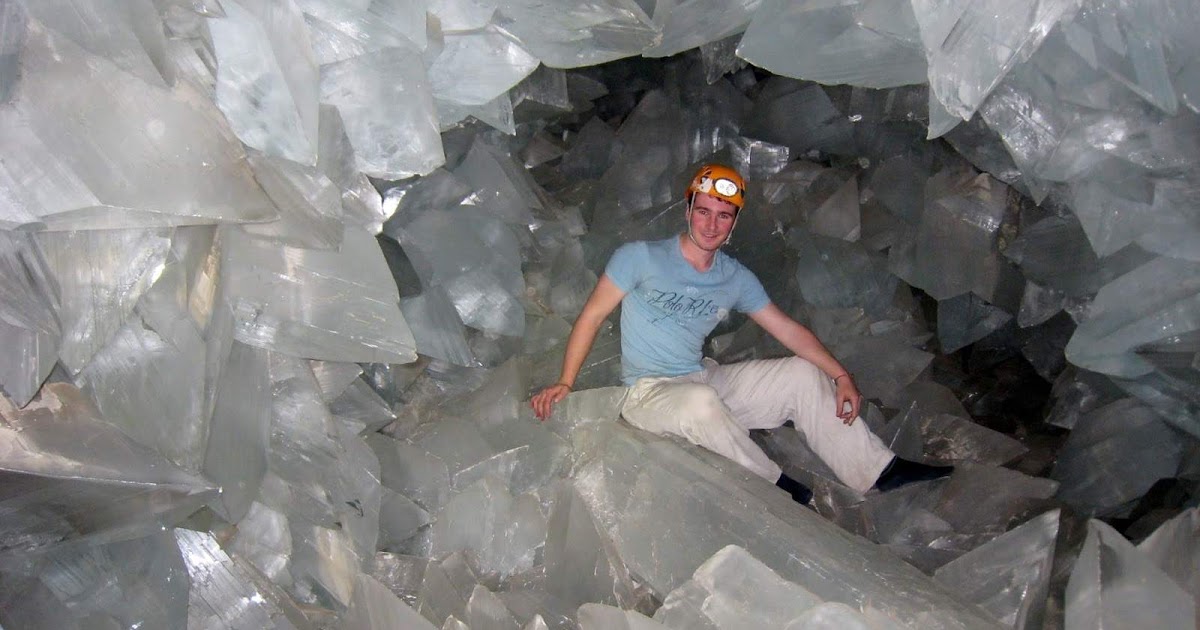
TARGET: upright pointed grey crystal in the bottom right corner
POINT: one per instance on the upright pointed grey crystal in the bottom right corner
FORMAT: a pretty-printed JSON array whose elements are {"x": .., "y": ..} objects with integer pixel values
[{"x": 1113, "y": 585}]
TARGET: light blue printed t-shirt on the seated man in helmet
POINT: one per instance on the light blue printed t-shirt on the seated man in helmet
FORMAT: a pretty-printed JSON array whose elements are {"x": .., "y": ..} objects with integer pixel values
[{"x": 670, "y": 308}]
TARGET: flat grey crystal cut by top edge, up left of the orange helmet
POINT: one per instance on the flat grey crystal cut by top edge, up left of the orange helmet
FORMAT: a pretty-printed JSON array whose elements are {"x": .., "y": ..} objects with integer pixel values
[{"x": 580, "y": 33}]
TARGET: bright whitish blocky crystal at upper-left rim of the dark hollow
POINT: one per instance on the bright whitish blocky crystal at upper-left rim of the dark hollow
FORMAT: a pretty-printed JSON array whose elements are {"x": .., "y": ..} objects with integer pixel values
[{"x": 387, "y": 107}]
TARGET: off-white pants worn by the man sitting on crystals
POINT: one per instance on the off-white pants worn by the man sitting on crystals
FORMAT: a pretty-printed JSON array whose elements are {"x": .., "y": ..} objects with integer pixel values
[{"x": 717, "y": 407}]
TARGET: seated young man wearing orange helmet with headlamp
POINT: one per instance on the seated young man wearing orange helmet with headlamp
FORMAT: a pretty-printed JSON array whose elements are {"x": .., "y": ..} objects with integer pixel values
[{"x": 673, "y": 295}]
